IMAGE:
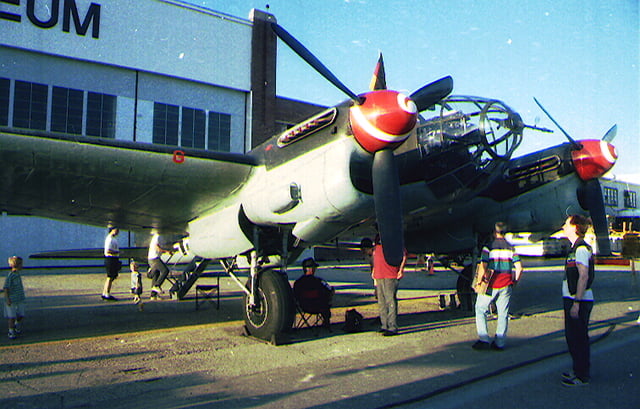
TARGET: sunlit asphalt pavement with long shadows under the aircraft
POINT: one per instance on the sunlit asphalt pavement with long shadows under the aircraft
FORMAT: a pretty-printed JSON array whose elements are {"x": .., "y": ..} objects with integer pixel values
[{"x": 79, "y": 351}]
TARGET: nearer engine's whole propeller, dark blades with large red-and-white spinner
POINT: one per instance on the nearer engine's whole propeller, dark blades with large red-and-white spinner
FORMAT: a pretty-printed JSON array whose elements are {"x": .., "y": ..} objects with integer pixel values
[{"x": 381, "y": 120}]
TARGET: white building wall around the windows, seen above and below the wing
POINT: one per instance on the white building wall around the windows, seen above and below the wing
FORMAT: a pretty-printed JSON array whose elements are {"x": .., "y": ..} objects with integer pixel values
[{"x": 158, "y": 50}]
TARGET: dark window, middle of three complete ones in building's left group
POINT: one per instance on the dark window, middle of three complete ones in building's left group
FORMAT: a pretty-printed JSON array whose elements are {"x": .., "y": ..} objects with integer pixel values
[{"x": 66, "y": 110}]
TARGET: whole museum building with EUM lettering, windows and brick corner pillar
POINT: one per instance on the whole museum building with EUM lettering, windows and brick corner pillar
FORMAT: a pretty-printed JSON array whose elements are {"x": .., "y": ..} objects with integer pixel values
[{"x": 152, "y": 71}]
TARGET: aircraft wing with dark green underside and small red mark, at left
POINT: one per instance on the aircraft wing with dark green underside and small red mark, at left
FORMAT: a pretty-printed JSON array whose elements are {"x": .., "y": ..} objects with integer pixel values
[{"x": 99, "y": 181}]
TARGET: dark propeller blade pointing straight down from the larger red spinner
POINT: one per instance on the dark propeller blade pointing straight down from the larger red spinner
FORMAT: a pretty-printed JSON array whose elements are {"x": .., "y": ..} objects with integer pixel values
[{"x": 386, "y": 193}]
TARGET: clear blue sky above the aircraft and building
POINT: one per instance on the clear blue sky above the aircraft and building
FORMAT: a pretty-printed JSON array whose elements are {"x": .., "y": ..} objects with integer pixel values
[{"x": 580, "y": 58}]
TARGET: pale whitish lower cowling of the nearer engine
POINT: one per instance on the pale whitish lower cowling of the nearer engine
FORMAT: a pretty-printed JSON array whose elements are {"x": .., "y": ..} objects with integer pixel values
[{"x": 312, "y": 194}]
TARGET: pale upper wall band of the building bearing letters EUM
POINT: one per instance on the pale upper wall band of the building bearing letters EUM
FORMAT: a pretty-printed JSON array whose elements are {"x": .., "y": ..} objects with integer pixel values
[{"x": 165, "y": 37}]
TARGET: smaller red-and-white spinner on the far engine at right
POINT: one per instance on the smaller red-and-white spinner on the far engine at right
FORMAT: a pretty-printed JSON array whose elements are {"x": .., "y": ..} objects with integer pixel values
[{"x": 594, "y": 159}]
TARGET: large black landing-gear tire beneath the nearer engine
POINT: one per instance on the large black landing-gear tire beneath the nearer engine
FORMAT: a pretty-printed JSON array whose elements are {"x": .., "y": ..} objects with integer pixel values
[{"x": 275, "y": 311}]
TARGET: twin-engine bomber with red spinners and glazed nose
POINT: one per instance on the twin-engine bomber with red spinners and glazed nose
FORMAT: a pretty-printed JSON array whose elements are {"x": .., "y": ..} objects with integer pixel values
[{"x": 431, "y": 172}]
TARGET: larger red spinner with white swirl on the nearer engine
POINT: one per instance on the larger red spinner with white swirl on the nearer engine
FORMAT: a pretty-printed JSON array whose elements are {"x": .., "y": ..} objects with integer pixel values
[{"x": 383, "y": 120}]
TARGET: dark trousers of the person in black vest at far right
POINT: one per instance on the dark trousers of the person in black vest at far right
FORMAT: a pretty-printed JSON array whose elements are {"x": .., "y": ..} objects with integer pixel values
[{"x": 576, "y": 332}]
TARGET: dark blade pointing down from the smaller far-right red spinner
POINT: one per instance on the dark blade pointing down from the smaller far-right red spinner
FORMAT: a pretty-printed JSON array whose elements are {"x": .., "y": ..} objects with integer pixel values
[{"x": 590, "y": 197}]
